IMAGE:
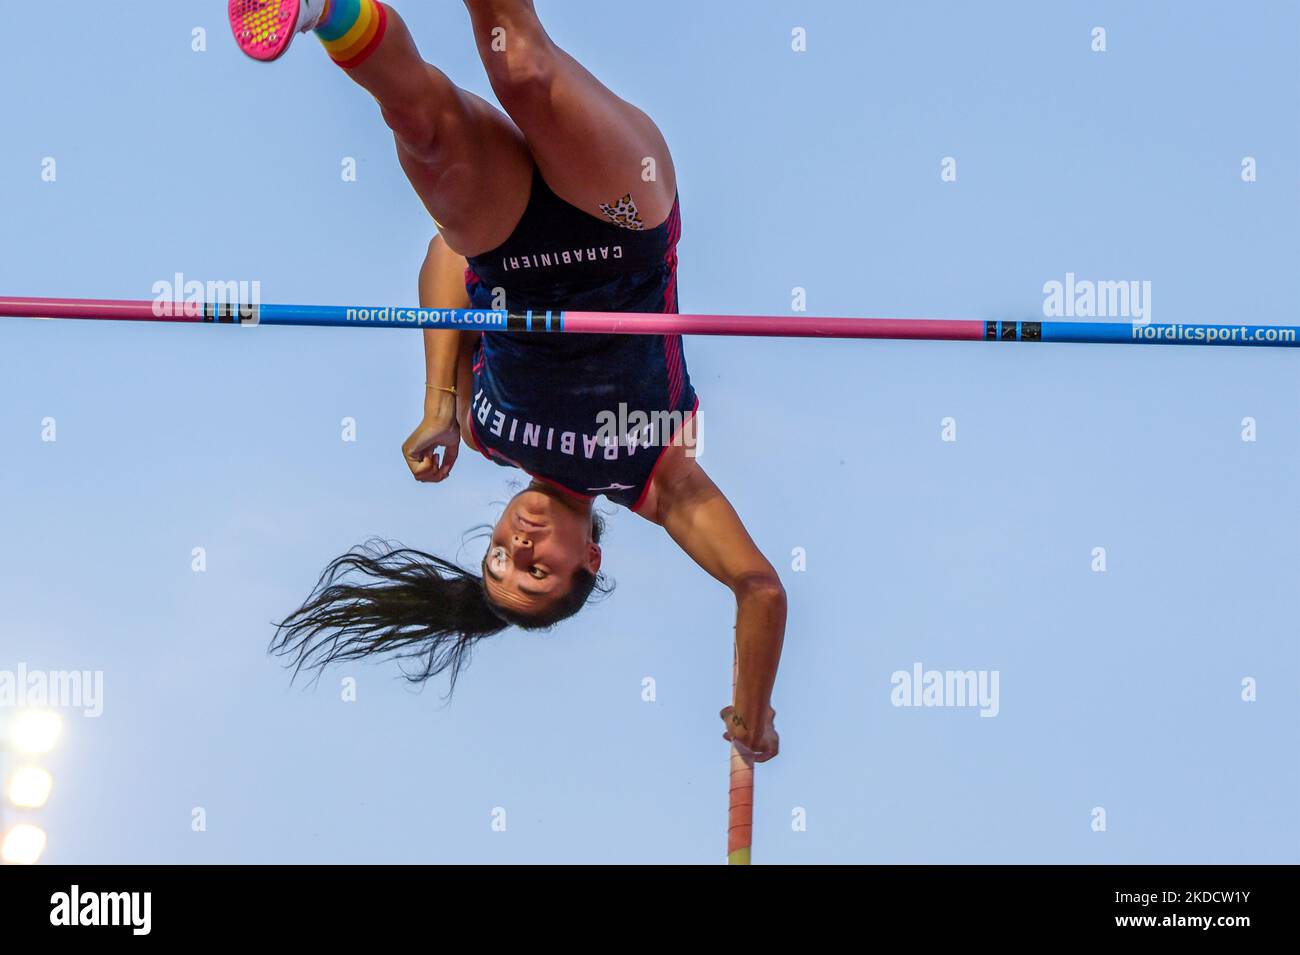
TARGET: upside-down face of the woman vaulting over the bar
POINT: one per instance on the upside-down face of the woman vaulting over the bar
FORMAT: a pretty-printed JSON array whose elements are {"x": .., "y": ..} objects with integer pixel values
[{"x": 536, "y": 548}]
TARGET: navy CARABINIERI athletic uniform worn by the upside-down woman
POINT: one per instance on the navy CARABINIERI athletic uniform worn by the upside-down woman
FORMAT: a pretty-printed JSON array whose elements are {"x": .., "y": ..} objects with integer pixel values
[{"x": 565, "y": 409}]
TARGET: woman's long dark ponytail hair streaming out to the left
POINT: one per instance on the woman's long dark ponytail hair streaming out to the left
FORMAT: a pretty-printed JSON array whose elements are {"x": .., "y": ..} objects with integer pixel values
[{"x": 383, "y": 598}]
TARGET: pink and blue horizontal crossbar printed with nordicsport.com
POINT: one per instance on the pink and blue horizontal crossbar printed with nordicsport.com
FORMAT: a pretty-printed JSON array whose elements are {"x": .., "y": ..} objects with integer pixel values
[{"x": 656, "y": 324}]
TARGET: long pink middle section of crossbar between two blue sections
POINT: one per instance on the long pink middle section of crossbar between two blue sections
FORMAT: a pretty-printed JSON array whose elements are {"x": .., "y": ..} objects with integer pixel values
[{"x": 788, "y": 327}]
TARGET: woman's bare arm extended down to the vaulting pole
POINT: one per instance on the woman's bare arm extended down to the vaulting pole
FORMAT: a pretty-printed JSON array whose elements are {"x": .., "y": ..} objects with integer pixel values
[{"x": 707, "y": 527}]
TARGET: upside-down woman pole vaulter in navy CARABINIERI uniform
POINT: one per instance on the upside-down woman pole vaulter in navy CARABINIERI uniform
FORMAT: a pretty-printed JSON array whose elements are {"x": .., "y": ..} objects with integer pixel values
[{"x": 566, "y": 201}]
